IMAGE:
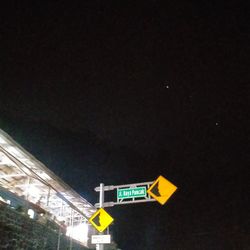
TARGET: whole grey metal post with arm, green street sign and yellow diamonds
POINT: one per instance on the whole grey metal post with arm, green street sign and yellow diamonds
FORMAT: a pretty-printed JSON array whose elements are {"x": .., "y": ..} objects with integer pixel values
[{"x": 159, "y": 190}]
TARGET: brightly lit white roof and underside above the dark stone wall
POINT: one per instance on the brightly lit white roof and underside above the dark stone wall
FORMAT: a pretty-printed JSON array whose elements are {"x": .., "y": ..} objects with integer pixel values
[{"x": 41, "y": 190}]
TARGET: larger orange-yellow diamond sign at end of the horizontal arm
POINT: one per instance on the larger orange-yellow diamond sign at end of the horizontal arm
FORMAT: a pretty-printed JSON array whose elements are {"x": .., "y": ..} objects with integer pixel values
[{"x": 161, "y": 190}]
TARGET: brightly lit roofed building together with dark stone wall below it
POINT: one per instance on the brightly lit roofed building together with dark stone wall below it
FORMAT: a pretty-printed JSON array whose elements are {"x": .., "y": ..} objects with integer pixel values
[{"x": 30, "y": 192}]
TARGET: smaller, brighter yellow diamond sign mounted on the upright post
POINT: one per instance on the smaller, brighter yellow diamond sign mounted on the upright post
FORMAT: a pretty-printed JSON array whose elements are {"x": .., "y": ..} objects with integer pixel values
[{"x": 101, "y": 220}]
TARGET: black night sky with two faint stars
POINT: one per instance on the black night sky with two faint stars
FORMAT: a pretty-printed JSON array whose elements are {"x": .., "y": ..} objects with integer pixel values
[{"x": 122, "y": 91}]
